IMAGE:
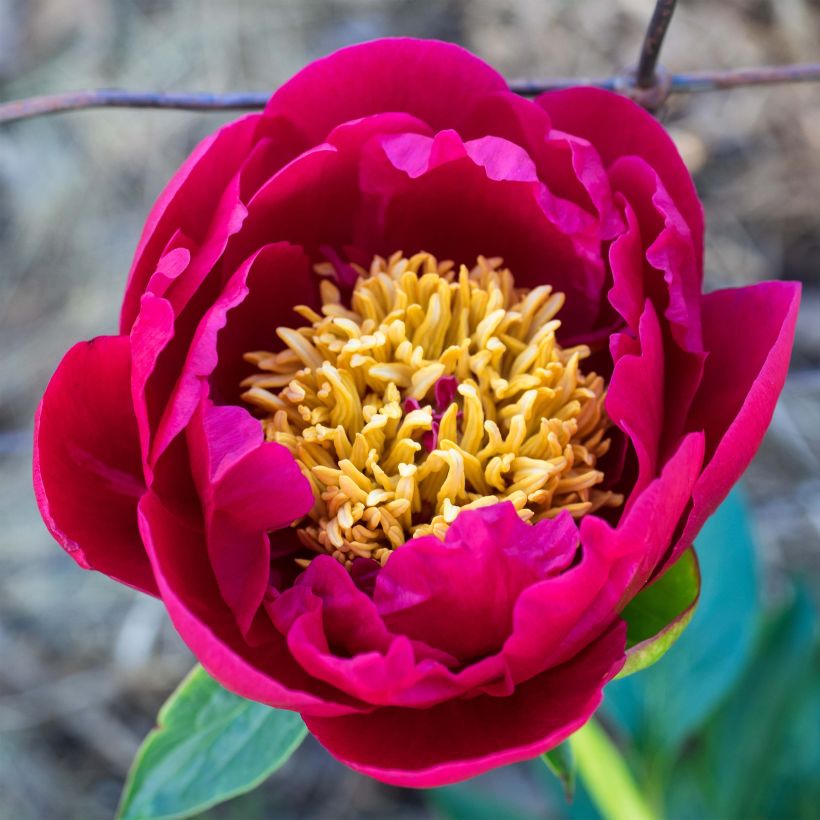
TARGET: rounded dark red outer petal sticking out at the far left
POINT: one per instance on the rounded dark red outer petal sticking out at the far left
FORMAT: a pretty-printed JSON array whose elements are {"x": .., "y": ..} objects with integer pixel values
[{"x": 87, "y": 466}]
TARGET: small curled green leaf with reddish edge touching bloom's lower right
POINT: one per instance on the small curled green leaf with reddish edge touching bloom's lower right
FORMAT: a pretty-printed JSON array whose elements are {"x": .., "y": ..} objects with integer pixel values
[{"x": 657, "y": 616}]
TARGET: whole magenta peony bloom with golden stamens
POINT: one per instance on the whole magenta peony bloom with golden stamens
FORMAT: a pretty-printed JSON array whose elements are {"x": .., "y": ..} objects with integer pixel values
[{"x": 414, "y": 510}]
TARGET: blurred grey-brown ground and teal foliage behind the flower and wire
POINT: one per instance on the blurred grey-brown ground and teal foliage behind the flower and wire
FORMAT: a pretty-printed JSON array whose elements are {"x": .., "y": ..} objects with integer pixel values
[{"x": 734, "y": 710}]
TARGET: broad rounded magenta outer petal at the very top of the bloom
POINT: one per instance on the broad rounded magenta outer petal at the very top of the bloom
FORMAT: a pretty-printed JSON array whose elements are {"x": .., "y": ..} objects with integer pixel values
[{"x": 434, "y": 81}]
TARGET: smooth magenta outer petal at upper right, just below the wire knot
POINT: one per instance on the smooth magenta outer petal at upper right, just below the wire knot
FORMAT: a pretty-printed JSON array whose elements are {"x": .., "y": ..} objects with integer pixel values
[{"x": 618, "y": 127}]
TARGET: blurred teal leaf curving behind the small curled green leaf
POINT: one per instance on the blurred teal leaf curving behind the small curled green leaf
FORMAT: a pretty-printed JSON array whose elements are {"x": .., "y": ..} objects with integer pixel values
[{"x": 668, "y": 702}]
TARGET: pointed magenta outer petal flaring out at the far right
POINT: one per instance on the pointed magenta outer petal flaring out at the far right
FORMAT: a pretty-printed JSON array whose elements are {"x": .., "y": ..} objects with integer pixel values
[{"x": 748, "y": 333}]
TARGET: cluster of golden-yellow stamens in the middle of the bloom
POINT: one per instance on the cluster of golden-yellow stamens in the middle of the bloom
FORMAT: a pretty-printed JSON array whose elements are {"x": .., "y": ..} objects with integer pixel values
[{"x": 436, "y": 390}]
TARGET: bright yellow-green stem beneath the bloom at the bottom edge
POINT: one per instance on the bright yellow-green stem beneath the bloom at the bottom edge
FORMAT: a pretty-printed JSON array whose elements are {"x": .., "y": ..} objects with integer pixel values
[{"x": 606, "y": 776}]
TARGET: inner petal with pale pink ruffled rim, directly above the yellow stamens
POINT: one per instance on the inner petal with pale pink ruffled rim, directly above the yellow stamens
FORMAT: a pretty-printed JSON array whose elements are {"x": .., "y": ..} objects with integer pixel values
[{"x": 460, "y": 200}]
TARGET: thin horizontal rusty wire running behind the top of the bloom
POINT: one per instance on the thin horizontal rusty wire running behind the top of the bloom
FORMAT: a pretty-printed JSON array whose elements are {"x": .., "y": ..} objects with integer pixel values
[{"x": 695, "y": 82}]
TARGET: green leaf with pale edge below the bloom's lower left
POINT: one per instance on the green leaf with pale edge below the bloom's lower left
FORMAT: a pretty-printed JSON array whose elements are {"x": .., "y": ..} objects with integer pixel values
[{"x": 209, "y": 745}]
